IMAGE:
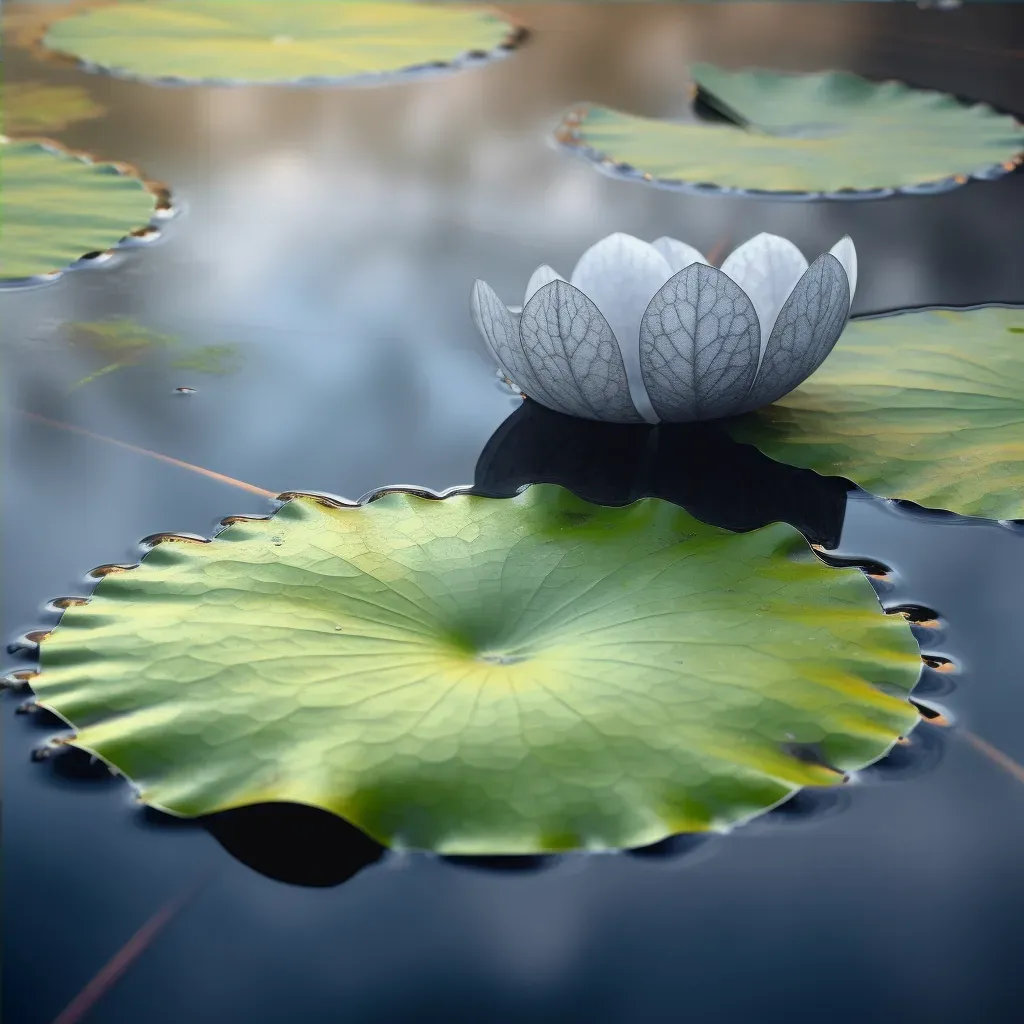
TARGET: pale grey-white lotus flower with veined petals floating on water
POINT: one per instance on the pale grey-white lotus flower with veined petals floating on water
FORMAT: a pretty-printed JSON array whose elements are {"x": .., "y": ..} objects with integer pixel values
[{"x": 652, "y": 332}]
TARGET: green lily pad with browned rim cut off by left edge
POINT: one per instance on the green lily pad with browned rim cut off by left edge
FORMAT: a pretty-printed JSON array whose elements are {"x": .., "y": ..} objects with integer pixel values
[{"x": 59, "y": 207}]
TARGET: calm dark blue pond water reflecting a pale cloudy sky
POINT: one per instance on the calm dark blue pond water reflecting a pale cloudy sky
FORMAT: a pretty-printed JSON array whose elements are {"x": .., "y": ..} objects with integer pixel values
[{"x": 332, "y": 236}]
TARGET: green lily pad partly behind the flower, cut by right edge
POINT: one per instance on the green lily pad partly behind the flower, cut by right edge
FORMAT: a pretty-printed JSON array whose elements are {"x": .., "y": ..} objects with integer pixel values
[{"x": 926, "y": 406}]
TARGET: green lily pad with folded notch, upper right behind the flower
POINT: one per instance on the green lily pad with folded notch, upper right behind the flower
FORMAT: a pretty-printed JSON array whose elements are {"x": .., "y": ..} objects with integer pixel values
[{"x": 810, "y": 134}]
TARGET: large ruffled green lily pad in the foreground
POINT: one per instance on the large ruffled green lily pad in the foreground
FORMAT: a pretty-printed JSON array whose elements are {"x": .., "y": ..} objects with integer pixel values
[{"x": 480, "y": 675}]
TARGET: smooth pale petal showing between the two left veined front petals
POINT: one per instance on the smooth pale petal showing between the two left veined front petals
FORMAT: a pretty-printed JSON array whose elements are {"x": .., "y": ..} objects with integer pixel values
[{"x": 621, "y": 275}]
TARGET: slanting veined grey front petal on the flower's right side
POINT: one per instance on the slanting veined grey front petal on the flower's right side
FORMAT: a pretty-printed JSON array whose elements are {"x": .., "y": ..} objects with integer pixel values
[{"x": 806, "y": 331}]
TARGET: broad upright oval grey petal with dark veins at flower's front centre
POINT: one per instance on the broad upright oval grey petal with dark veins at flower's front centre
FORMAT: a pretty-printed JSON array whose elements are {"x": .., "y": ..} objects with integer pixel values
[{"x": 700, "y": 344}]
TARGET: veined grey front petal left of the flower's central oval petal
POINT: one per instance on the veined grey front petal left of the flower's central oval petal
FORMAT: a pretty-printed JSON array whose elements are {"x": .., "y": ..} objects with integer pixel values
[{"x": 576, "y": 364}]
